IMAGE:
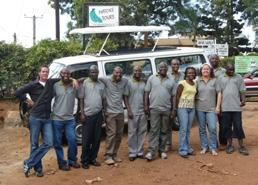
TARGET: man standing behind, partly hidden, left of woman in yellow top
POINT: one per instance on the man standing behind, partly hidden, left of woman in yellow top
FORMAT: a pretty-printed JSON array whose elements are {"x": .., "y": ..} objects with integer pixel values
[{"x": 177, "y": 76}]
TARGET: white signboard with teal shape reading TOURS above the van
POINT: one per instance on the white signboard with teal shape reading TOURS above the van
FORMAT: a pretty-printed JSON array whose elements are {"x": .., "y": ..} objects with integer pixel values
[{"x": 103, "y": 15}]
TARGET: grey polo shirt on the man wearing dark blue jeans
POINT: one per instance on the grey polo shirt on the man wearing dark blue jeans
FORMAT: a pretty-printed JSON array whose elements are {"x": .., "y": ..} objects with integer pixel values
[{"x": 64, "y": 98}]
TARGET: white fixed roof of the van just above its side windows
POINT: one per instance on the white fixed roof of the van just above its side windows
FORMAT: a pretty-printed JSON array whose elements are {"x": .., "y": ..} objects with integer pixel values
[{"x": 90, "y": 58}]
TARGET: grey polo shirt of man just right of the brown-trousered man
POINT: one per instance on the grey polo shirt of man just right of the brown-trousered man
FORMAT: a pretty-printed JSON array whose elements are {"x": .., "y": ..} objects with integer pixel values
[{"x": 135, "y": 92}]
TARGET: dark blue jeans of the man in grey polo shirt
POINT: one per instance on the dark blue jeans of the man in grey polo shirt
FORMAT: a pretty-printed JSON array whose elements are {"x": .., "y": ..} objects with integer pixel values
[{"x": 68, "y": 128}]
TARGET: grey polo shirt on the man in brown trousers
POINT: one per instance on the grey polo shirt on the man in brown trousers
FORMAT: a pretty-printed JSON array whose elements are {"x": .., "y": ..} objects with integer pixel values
[{"x": 114, "y": 94}]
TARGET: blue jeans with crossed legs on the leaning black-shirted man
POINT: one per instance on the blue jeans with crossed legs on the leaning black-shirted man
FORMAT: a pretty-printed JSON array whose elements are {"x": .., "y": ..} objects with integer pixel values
[{"x": 37, "y": 126}]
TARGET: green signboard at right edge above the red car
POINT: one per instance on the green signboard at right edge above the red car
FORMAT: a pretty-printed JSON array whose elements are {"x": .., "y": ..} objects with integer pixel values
[{"x": 245, "y": 64}]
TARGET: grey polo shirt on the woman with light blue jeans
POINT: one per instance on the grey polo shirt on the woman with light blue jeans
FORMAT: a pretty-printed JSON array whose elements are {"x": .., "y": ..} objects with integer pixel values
[{"x": 207, "y": 94}]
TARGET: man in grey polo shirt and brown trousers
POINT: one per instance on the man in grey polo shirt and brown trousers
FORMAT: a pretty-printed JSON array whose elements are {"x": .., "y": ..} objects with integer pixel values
[{"x": 115, "y": 88}]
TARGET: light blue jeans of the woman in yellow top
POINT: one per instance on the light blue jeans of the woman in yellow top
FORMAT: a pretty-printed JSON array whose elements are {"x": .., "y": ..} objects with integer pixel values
[{"x": 185, "y": 118}]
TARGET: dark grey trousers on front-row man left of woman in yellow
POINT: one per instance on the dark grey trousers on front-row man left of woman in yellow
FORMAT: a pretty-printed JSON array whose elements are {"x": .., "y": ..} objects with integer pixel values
[{"x": 159, "y": 124}]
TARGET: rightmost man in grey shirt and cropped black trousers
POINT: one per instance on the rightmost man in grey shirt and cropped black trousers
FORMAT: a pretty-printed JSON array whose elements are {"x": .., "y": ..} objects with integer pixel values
[{"x": 233, "y": 99}]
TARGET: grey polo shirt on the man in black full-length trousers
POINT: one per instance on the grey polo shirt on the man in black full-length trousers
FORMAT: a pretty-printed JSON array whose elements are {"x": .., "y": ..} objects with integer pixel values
[{"x": 92, "y": 93}]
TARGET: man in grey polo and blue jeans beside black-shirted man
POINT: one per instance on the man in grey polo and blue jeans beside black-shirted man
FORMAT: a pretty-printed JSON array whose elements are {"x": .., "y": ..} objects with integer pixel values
[{"x": 63, "y": 120}]
